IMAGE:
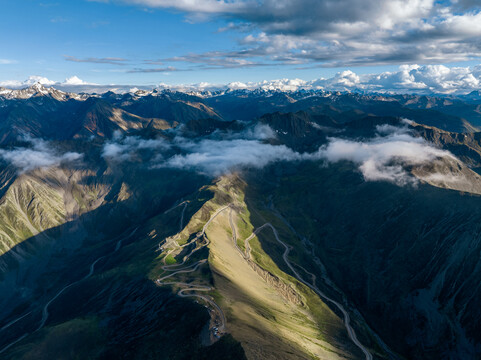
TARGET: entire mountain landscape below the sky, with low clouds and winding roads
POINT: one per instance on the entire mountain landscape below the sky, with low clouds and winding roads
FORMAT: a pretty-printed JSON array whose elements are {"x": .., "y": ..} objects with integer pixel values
[{"x": 239, "y": 224}]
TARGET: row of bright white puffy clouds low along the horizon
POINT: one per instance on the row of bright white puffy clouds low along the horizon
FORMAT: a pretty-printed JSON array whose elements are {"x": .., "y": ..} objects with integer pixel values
[{"x": 421, "y": 79}]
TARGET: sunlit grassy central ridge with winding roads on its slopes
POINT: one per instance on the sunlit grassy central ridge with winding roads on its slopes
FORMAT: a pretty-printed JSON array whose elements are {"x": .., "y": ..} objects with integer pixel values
[{"x": 267, "y": 310}]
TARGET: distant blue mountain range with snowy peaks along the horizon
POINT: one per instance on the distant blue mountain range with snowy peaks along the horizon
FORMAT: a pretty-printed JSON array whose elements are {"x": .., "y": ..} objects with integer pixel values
[{"x": 55, "y": 114}]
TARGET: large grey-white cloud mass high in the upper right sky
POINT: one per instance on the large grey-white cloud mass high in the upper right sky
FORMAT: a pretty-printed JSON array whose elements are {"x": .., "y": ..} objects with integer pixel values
[{"x": 338, "y": 32}]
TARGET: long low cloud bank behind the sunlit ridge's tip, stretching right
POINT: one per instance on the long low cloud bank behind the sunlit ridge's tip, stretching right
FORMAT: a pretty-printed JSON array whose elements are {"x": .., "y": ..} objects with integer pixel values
[{"x": 386, "y": 157}]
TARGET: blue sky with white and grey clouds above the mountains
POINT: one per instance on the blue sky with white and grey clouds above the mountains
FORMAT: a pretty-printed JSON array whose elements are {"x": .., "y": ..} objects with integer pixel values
[{"x": 400, "y": 44}]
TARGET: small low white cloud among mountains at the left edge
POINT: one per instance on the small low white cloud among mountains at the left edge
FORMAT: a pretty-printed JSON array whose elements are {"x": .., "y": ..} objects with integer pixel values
[{"x": 41, "y": 154}]
